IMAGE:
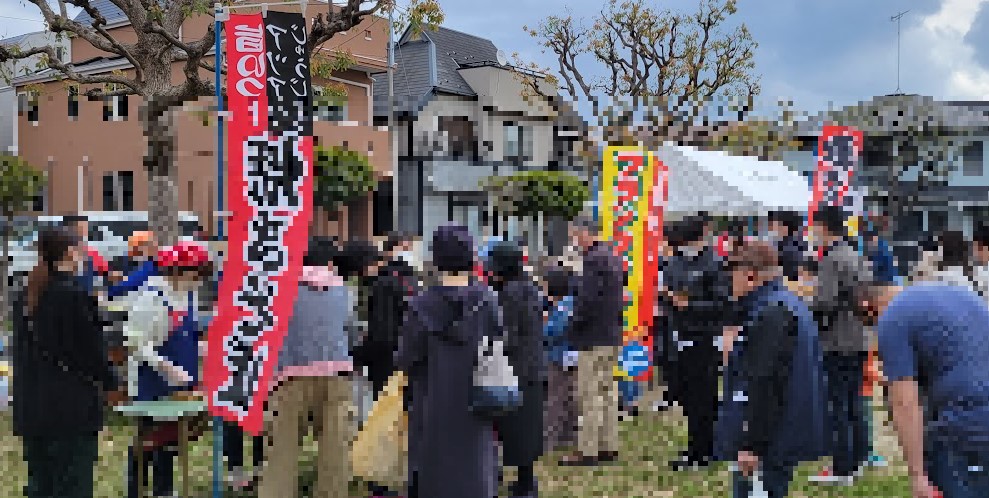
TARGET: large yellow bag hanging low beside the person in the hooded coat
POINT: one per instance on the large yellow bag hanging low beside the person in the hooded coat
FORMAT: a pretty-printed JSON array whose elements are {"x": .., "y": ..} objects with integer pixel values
[{"x": 380, "y": 451}]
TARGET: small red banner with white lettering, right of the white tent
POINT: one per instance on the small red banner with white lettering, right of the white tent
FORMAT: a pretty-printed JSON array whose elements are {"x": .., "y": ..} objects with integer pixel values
[{"x": 838, "y": 154}]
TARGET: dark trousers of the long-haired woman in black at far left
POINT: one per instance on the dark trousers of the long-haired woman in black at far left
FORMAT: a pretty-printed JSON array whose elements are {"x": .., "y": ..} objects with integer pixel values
[{"x": 60, "y": 467}]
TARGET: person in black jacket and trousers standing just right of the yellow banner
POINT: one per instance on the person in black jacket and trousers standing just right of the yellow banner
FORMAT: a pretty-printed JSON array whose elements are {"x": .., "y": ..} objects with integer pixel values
[{"x": 697, "y": 285}]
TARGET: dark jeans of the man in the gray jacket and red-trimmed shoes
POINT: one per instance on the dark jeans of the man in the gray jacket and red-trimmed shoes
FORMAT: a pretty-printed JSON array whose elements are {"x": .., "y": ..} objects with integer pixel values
[{"x": 849, "y": 427}]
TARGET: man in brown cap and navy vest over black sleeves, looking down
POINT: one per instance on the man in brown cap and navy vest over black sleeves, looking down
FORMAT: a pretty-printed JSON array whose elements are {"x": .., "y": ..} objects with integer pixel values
[{"x": 773, "y": 413}]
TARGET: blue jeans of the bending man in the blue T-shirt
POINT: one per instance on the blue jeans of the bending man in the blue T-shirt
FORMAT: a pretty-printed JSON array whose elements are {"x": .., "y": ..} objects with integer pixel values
[{"x": 957, "y": 473}]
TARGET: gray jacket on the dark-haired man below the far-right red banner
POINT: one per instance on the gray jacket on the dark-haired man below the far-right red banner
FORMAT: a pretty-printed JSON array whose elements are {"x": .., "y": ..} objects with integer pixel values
[{"x": 840, "y": 272}]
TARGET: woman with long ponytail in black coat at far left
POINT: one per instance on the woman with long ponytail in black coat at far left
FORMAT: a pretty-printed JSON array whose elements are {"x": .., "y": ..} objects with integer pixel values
[{"x": 61, "y": 372}]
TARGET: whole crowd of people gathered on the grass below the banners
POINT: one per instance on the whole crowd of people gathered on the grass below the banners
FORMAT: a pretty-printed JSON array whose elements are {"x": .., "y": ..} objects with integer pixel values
[{"x": 768, "y": 339}]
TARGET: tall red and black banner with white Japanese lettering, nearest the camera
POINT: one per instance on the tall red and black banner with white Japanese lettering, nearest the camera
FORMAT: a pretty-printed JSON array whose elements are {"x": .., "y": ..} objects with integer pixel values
[{"x": 270, "y": 150}]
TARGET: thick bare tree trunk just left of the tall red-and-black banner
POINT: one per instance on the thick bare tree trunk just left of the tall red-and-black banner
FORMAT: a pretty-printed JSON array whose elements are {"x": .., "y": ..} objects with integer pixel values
[{"x": 159, "y": 162}]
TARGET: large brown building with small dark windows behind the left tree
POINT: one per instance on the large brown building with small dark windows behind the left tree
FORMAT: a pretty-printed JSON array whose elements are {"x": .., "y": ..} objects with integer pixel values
[{"x": 92, "y": 150}]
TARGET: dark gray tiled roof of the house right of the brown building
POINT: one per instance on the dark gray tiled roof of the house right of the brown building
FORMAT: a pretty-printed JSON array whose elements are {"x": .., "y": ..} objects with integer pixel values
[{"x": 414, "y": 68}]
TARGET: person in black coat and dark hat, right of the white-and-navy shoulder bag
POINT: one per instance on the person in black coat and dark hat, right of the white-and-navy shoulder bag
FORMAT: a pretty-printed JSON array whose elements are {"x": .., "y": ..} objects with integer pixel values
[{"x": 522, "y": 430}]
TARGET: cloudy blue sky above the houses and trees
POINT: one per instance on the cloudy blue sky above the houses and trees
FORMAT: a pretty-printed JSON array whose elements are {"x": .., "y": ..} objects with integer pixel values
[{"x": 813, "y": 52}]
